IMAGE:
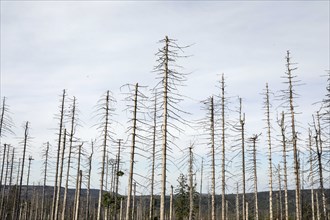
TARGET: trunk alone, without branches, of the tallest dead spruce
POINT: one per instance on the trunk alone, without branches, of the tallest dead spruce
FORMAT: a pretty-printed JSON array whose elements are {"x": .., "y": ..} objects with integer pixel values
[{"x": 164, "y": 131}]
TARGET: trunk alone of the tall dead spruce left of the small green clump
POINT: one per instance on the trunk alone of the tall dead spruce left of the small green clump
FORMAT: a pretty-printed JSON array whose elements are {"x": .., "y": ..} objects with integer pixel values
[{"x": 105, "y": 138}]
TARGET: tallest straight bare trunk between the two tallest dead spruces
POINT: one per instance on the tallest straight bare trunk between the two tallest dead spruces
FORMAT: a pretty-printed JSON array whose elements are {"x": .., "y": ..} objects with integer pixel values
[{"x": 223, "y": 174}]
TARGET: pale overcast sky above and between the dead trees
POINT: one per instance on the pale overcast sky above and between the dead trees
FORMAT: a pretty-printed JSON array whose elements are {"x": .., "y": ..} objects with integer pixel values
[{"x": 88, "y": 47}]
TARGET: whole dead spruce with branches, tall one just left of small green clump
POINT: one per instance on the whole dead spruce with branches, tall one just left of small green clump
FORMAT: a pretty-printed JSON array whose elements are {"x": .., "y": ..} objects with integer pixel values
[{"x": 105, "y": 111}]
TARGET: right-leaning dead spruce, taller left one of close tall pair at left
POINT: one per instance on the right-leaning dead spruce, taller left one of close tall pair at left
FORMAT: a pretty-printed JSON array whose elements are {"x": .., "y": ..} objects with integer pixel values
[{"x": 59, "y": 140}]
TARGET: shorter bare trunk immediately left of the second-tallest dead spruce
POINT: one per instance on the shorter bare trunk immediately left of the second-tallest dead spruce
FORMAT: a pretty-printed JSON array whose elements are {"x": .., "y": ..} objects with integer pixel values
[{"x": 282, "y": 125}]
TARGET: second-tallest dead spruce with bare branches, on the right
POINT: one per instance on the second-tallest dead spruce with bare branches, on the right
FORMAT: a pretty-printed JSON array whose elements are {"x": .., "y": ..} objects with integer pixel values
[{"x": 288, "y": 96}]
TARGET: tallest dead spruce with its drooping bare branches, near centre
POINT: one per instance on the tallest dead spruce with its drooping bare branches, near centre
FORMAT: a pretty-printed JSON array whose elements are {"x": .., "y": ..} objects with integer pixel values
[{"x": 170, "y": 81}]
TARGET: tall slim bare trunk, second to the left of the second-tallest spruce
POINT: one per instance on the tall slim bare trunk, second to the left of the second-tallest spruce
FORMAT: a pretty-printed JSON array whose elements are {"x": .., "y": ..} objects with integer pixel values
[{"x": 270, "y": 171}]
